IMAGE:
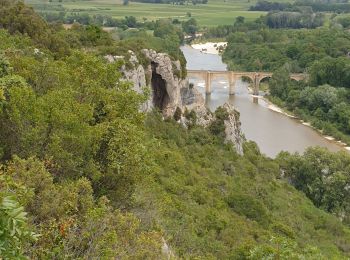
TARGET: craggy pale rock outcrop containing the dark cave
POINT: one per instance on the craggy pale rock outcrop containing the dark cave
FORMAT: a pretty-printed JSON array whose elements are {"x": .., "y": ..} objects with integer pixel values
[{"x": 162, "y": 76}]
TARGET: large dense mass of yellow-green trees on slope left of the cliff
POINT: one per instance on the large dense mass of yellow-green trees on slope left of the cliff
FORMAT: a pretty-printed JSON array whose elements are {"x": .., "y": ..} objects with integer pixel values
[{"x": 69, "y": 114}]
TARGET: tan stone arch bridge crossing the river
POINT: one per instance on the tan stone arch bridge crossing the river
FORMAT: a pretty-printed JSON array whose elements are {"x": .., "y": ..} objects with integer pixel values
[{"x": 232, "y": 76}]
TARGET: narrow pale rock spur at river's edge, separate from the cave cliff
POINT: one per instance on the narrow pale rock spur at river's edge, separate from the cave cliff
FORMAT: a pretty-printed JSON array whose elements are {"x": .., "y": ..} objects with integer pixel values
[{"x": 233, "y": 131}]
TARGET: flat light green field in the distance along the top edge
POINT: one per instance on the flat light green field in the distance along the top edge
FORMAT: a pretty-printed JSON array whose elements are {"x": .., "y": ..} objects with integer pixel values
[{"x": 216, "y": 12}]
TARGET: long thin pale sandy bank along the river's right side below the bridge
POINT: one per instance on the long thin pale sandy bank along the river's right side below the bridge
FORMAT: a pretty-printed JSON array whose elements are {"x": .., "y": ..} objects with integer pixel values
[{"x": 290, "y": 114}]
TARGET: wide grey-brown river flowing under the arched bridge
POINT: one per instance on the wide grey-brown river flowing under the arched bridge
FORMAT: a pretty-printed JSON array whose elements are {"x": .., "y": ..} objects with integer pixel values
[{"x": 272, "y": 131}]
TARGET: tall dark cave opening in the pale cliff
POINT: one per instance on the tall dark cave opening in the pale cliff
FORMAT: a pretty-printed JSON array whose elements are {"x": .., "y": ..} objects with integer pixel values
[{"x": 160, "y": 94}]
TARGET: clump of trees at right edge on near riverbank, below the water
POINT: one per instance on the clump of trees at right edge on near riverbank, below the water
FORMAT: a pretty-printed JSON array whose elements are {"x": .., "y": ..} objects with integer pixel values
[{"x": 323, "y": 176}]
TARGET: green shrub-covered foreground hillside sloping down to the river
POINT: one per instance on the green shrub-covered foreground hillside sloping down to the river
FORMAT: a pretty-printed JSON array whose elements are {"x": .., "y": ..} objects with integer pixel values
[{"x": 85, "y": 174}]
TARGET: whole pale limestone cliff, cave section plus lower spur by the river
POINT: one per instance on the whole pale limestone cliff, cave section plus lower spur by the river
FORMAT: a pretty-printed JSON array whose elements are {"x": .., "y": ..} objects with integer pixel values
[{"x": 169, "y": 92}]
